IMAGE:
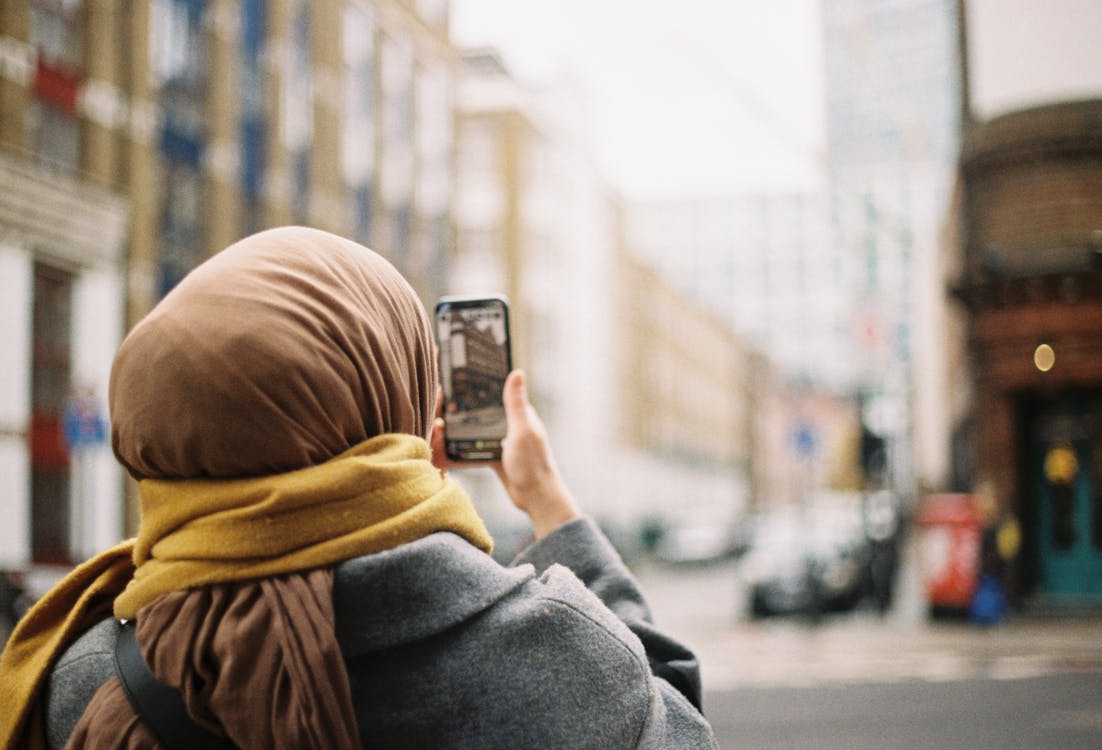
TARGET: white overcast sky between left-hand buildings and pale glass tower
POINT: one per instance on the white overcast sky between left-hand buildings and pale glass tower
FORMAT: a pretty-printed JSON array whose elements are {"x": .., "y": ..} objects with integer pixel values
[{"x": 686, "y": 96}]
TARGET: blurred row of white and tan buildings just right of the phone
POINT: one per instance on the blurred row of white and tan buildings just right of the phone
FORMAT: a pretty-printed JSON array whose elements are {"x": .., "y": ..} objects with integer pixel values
[{"x": 640, "y": 386}]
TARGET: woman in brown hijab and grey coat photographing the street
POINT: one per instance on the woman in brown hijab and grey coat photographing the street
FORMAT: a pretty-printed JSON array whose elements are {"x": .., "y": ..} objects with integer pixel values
[{"x": 306, "y": 573}]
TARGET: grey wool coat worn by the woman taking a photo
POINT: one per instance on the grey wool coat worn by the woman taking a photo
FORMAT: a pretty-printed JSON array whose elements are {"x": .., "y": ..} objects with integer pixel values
[{"x": 448, "y": 649}]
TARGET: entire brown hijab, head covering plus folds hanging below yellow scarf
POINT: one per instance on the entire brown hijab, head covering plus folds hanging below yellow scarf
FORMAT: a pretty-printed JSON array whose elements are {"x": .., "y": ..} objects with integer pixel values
[{"x": 280, "y": 353}]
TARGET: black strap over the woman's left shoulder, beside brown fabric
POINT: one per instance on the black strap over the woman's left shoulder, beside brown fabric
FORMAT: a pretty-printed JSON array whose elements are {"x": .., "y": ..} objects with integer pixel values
[{"x": 159, "y": 705}]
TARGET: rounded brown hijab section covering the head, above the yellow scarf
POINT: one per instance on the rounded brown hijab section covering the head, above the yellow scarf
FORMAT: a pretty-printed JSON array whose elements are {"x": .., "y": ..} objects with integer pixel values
[{"x": 279, "y": 353}]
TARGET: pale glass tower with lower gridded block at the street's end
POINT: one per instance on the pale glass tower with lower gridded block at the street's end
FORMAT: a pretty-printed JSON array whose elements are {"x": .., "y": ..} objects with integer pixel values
[{"x": 839, "y": 286}]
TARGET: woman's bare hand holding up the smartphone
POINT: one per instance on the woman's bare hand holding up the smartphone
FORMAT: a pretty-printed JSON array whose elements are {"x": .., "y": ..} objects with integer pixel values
[{"x": 527, "y": 468}]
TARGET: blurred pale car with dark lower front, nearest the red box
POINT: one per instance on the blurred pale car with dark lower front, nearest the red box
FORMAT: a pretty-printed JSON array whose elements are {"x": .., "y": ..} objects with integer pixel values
[{"x": 806, "y": 563}]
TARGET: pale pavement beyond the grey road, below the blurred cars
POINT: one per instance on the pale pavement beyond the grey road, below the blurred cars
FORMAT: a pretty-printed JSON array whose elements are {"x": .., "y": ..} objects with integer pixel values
[{"x": 705, "y": 606}]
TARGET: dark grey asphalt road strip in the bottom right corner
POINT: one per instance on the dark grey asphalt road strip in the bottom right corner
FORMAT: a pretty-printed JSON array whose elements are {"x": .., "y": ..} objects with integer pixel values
[{"x": 1060, "y": 712}]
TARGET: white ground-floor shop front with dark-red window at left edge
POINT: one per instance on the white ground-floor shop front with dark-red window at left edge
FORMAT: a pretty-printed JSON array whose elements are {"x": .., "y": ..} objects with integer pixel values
[{"x": 62, "y": 303}]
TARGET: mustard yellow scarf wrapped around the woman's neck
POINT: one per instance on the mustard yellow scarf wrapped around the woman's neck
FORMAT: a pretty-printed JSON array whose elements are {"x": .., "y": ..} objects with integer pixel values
[{"x": 375, "y": 497}]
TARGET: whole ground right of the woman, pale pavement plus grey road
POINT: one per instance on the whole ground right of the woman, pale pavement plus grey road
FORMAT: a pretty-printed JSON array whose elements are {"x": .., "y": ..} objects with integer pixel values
[{"x": 860, "y": 680}]
